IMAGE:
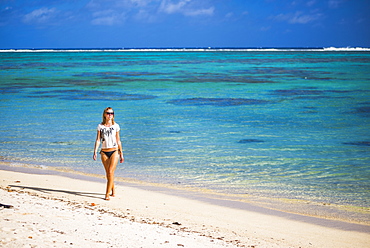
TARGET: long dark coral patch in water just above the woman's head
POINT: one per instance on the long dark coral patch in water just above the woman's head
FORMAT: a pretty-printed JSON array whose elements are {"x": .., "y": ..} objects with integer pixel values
[{"x": 91, "y": 95}]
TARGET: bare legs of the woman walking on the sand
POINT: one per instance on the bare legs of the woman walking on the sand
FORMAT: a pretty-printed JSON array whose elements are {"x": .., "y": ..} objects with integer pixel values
[{"x": 110, "y": 165}]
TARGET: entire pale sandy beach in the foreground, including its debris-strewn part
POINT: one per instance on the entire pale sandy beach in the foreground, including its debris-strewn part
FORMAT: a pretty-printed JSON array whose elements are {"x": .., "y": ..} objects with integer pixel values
[{"x": 55, "y": 210}]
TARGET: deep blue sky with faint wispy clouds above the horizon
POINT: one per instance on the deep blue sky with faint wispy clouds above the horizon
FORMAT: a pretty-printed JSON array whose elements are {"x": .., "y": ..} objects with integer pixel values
[{"x": 183, "y": 23}]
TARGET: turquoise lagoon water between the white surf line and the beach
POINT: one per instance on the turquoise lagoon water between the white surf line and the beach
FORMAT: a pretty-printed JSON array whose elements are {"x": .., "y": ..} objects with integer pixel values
[{"x": 290, "y": 124}]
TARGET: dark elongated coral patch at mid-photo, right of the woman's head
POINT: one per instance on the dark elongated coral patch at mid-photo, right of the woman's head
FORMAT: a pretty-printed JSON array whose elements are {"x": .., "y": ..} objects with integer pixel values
[{"x": 222, "y": 102}]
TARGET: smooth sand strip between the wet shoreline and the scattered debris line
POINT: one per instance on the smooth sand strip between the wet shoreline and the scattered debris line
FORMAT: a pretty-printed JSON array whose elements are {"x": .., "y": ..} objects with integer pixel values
[{"x": 235, "y": 222}]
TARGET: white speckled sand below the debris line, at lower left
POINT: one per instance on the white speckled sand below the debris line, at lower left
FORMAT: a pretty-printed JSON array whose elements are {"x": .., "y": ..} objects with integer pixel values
[{"x": 38, "y": 222}]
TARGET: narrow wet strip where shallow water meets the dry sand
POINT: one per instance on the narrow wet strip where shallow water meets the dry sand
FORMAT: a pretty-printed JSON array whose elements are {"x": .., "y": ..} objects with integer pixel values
[{"x": 281, "y": 206}]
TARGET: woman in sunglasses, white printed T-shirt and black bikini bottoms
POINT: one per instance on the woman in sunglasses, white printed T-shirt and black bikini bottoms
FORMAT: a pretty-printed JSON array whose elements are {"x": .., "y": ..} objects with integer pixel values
[{"x": 111, "y": 149}]
